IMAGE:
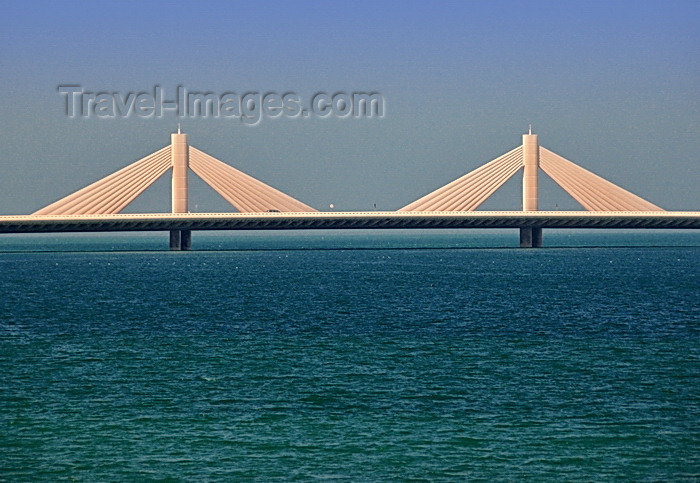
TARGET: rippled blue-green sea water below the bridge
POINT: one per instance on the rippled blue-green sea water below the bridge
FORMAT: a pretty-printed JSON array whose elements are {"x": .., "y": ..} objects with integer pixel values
[{"x": 350, "y": 356}]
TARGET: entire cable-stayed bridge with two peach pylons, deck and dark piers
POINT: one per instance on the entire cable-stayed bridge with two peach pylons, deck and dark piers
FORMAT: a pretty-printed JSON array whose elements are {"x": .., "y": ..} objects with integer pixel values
[{"x": 98, "y": 207}]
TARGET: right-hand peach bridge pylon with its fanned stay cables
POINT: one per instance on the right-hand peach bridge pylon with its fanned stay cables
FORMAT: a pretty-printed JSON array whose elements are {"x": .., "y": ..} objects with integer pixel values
[{"x": 471, "y": 190}]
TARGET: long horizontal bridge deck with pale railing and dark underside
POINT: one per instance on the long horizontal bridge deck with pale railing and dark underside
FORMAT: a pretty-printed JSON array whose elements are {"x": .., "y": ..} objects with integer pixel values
[{"x": 347, "y": 220}]
